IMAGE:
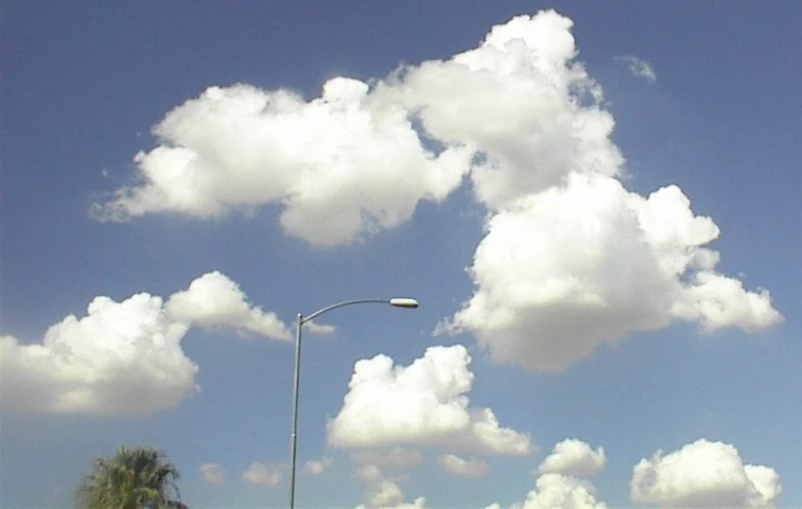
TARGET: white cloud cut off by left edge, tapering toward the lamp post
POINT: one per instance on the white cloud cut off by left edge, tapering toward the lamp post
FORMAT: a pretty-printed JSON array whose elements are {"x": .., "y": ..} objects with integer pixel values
[{"x": 123, "y": 358}]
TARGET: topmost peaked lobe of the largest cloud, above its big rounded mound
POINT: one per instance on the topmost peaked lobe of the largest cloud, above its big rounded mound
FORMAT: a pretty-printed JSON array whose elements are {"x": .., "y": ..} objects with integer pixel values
[{"x": 522, "y": 103}]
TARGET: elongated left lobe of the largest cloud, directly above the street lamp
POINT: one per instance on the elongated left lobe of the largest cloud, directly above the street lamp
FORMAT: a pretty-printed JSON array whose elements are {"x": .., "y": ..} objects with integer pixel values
[{"x": 343, "y": 165}]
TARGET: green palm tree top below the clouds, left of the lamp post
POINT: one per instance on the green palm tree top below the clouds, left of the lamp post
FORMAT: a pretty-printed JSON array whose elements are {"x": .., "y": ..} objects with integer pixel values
[{"x": 134, "y": 478}]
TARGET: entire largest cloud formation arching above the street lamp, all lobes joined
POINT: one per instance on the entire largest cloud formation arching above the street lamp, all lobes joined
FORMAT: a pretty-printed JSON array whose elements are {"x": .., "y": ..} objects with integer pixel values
[{"x": 570, "y": 259}]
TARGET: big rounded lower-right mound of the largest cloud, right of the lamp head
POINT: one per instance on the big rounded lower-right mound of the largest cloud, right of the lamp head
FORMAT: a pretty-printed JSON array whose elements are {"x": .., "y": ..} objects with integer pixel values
[{"x": 588, "y": 263}]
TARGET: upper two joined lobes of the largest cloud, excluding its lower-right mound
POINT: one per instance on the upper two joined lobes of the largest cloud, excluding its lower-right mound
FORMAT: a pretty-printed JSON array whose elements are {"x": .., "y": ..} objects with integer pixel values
[{"x": 351, "y": 162}]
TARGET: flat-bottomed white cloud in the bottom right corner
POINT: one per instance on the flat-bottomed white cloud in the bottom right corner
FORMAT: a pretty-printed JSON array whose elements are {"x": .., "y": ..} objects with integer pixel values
[{"x": 703, "y": 474}]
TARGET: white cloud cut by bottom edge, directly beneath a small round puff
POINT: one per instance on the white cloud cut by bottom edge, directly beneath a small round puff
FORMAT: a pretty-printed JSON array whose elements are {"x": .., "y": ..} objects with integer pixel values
[{"x": 558, "y": 491}]
